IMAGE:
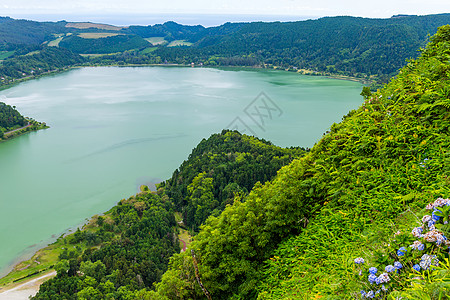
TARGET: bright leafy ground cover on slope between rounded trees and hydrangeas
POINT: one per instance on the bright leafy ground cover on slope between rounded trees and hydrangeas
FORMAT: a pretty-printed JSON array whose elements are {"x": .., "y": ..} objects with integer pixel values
[{"x": 399, "y": 163}]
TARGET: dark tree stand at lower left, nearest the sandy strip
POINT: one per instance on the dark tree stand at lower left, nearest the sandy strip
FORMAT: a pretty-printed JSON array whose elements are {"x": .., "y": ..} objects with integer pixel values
[{"x": 122, "y": 266}]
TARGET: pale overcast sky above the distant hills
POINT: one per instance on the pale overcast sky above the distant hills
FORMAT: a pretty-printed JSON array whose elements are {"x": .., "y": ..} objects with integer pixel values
[{"x": 317, "y": 8}]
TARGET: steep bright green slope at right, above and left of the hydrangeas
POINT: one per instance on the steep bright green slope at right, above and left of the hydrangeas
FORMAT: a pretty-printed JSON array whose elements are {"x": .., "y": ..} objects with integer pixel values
[{"x": 295, "y": 237}]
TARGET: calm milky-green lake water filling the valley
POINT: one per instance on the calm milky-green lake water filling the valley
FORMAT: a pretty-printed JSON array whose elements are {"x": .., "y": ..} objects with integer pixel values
[{"x": 113, "y": 129}]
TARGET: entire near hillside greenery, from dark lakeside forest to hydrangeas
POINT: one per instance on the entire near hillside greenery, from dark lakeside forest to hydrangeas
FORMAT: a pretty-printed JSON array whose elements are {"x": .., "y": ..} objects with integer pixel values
[{"x": 360, "y": 198}]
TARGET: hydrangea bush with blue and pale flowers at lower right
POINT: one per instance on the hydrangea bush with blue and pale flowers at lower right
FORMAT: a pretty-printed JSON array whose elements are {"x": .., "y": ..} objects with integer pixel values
[{"x": 409, "y": 256}]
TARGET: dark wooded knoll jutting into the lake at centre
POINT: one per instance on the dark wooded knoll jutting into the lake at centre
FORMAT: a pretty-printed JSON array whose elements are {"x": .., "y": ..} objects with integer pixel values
[{"x": 220, "y": 167}]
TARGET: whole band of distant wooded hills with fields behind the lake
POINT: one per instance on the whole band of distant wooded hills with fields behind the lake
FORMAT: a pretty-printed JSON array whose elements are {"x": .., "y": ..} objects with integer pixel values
[{"x": 370, "y": 49}]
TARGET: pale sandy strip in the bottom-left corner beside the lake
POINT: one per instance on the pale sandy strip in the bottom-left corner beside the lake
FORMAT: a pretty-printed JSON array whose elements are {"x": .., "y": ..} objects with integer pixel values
[{"x": 25, "y": 289}]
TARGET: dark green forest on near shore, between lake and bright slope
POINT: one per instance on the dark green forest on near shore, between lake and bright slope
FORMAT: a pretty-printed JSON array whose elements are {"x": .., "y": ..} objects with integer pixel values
[{"x": 130, "y": 246}]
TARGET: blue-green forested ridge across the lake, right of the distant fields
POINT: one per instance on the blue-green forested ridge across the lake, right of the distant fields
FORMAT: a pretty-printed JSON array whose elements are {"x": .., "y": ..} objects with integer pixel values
[{"x": 337, "y": 45}]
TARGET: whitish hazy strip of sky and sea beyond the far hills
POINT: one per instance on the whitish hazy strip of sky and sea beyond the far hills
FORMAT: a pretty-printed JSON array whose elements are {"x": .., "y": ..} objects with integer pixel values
[{"x": 251, "y": 10}]
